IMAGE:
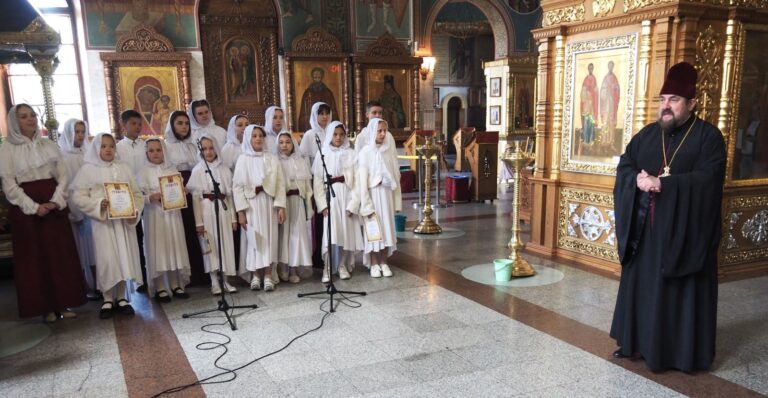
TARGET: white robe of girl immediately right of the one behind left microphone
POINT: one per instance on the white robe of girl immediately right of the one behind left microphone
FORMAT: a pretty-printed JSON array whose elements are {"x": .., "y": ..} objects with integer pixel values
[{"x": 260, "y": 210}]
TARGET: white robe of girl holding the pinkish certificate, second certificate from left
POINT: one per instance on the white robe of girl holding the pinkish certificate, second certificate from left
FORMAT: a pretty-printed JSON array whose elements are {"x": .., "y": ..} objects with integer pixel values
[{"x": 165, "y": 246}]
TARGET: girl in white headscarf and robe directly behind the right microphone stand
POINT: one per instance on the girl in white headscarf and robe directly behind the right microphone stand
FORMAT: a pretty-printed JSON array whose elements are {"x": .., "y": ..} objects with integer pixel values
[{"x": 346, "y": 236}]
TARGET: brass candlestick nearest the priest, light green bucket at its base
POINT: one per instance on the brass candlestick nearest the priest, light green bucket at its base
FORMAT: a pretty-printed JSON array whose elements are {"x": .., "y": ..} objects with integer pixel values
[{"x": 516, "y": 159}]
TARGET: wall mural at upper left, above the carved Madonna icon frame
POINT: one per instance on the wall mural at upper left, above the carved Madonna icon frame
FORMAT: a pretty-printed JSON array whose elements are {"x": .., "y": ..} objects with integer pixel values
[{"x": 107, "y": 20}]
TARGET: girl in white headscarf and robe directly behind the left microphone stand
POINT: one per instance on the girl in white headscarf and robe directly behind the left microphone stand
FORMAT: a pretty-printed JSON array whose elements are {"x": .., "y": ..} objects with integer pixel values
[{"x": 203, "y": 203}]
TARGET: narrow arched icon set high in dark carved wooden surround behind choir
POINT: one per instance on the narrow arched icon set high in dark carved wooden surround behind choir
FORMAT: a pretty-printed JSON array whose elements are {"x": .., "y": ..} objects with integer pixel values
[{"x": 241, "y": 70}]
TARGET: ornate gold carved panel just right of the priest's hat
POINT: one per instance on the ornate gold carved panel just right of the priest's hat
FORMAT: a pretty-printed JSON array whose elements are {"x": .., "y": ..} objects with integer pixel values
[{"x": 708, "y": 63}]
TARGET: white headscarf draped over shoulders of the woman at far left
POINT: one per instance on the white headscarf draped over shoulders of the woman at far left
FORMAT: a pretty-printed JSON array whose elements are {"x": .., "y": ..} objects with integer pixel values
[{"x": 25, "y": 154}]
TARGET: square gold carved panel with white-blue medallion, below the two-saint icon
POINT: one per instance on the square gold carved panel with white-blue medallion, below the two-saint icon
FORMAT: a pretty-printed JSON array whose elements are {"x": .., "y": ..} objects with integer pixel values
[{"x": 587, "y": 224}]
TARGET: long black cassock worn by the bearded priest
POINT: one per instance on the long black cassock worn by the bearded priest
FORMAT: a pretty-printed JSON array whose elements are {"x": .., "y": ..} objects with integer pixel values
[{"x": 666, "y": 308}]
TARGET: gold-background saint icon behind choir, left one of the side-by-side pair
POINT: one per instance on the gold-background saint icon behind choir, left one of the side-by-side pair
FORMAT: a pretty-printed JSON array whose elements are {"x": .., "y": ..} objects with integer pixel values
[{"x": 315, "y": 81}]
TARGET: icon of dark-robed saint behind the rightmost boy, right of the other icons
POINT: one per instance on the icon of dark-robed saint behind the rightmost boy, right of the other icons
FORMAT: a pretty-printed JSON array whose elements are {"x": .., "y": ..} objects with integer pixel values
[{"x": 391, "y": 87}]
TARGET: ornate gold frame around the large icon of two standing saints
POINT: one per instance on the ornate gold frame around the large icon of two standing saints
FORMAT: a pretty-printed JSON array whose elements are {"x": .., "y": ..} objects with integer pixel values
[{"x": 629, "y": 42}]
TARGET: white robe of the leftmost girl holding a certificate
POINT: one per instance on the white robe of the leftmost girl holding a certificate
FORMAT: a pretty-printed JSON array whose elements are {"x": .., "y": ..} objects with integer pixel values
[{"x": 114, "y": 241}]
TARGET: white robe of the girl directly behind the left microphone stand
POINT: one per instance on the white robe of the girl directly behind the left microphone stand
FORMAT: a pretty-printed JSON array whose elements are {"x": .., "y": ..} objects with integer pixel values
[{"x": 205, "y": 216}]
